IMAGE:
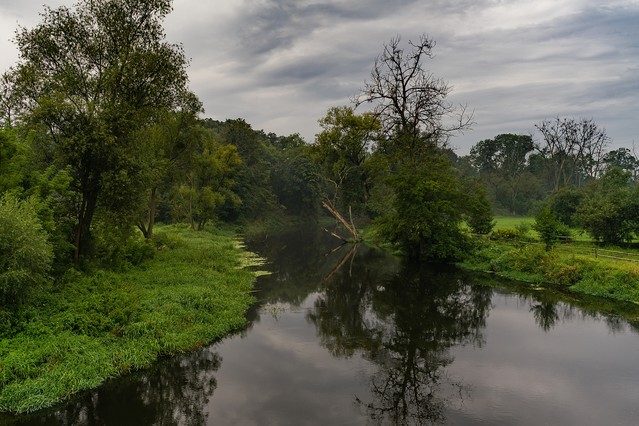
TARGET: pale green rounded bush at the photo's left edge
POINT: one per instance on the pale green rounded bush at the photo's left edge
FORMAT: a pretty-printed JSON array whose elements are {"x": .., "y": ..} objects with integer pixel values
[{"x": 25, "y": 254}]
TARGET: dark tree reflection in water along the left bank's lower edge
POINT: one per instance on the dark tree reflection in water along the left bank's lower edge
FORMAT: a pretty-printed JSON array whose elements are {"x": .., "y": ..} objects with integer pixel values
[{"x": 172, "y": 392}]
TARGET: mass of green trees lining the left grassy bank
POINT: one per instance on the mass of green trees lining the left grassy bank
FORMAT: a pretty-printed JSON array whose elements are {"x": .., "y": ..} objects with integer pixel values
[{"x": 101, "y": 138}]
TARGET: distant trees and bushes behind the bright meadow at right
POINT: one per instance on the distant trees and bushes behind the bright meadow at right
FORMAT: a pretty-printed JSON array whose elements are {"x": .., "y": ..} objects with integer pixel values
[{"x": 568, "y": 177}]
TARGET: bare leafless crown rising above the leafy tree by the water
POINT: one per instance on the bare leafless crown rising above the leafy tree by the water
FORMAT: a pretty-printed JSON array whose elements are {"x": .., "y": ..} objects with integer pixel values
[{"x": 409, "y": 100}]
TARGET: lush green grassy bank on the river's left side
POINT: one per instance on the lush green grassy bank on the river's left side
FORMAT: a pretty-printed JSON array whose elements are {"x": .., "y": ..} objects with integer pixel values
[{"x": 88, "y": 329}]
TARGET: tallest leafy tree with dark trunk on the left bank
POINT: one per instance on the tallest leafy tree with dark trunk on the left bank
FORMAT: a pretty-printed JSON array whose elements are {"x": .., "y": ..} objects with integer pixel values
[{"x": 94, "y": 76}]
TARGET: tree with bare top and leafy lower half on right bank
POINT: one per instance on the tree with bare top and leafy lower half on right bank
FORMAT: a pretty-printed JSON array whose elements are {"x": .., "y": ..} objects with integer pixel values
[{"x": 428, "y": 200}]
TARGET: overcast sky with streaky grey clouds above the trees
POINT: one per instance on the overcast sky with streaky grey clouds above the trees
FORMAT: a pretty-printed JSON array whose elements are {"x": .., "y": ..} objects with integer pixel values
[{"x": 280, "y": 64}]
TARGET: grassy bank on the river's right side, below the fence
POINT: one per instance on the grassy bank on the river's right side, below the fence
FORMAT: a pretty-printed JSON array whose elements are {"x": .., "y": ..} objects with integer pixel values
[{"x": 581, "y": 274}]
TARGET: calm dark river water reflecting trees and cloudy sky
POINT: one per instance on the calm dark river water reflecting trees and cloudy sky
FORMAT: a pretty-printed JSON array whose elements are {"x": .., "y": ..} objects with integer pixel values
[{"x": 355, "y": 337}]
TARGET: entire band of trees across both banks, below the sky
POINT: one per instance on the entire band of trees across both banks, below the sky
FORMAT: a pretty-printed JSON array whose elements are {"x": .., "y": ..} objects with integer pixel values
[{"x": 102, "y": 138}]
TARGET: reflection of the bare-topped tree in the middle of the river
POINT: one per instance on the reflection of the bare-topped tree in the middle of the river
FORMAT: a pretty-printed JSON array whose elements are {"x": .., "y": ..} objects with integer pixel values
[{"x": 405, "y": 323}]
